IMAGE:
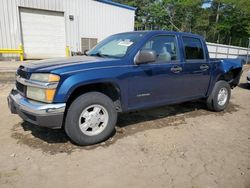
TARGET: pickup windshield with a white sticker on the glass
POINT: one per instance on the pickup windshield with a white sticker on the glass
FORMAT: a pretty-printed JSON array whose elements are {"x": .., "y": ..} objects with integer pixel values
[{"x": 116, "y": 46}]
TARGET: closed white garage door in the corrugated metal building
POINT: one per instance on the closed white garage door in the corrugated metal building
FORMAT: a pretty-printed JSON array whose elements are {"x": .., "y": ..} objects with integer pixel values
[{"x": 43, "y": 33}]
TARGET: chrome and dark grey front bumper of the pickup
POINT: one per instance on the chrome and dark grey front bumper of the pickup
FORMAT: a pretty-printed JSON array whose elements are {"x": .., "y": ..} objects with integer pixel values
[{"x": 41, "y": 114}]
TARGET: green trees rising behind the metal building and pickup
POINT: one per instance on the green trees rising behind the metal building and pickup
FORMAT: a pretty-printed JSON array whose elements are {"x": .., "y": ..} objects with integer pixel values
[{"x": 222, "y": 21}]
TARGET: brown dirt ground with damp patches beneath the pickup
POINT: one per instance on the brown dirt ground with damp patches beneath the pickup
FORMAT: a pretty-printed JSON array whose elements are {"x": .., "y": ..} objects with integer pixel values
[{"x": 181, "y": 145}]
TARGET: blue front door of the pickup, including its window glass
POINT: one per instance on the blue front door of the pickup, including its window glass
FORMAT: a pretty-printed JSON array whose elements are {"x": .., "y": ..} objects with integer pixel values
[{"x": 158, "y": 82}]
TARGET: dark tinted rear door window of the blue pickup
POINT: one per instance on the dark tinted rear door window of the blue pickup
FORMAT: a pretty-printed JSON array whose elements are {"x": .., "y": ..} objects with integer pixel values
[{"x": 193, "y": 48}]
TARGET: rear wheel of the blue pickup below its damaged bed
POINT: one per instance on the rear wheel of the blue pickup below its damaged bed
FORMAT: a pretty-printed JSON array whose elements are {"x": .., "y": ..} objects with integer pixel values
[{"x": 213, "y": 103}]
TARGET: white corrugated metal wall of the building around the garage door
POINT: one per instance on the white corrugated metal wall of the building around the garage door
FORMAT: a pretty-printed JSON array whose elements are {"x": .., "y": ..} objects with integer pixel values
[{"x": 92, "y": 19}]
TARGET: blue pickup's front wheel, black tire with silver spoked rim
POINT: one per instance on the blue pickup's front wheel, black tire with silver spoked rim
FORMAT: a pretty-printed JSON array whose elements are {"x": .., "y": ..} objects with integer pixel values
[{"x": 84, "y": 125}]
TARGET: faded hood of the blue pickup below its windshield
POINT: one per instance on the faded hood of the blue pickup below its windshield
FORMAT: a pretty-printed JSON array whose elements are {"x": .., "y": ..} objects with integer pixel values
[{"x": 76, "y": 62}]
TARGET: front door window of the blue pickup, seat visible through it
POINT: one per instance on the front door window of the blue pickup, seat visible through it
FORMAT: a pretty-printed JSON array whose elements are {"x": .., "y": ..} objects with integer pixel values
[{"x": 165, "y": 48}]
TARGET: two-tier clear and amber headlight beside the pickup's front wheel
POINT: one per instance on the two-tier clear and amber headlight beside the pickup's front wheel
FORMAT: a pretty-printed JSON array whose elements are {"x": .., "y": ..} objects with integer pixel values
[{"x": 42, "y": 94}]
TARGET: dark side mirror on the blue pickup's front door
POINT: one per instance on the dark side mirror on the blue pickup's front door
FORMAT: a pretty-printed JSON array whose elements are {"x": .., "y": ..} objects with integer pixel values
[{"x": 145, "y": 56}]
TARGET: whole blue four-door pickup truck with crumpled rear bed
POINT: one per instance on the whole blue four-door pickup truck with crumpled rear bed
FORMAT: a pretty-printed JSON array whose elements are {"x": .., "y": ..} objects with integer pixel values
[{"x": 125, "y": 72}]
